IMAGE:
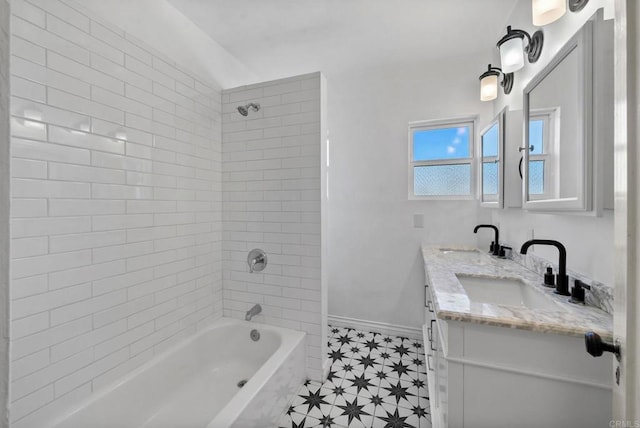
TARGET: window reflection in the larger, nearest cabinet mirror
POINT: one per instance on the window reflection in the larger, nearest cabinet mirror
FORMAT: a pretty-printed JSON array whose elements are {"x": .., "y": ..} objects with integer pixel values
[{"x": 542, "y": 145}]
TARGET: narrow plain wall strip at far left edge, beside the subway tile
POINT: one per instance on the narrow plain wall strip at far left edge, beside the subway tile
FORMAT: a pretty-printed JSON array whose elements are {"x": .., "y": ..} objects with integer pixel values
[{"x": 4, "y": 211}]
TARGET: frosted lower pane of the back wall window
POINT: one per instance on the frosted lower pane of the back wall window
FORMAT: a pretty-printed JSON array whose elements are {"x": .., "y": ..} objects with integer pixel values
[{"x": 439, "y": 180}]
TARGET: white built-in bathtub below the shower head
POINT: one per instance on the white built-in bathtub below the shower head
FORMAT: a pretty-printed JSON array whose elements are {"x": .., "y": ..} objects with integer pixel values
[{"x": 194, "y": 385}]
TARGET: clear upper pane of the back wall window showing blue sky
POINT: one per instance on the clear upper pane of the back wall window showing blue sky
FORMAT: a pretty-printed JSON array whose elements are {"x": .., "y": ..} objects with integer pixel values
[{"x": 442, "y": 143}]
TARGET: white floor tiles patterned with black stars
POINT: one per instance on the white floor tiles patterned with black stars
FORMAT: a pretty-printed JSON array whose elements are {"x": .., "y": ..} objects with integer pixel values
[{"x": 375, "y": 381}]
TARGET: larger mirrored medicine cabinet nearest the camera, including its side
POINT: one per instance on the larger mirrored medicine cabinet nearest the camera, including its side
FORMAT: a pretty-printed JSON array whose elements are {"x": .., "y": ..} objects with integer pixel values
[{"x": 567, "y": 111}]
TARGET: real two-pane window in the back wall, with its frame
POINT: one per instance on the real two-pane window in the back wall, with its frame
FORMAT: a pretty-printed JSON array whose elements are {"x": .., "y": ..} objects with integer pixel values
[{"x": 441, "y": 159}]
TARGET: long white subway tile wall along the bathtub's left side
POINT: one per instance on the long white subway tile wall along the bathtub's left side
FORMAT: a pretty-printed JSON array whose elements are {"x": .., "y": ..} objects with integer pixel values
[{"x": 116, "y": 215}]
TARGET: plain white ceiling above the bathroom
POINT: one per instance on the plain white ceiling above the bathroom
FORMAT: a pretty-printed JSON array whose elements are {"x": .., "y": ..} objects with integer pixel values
[{"x": 274, "y": 38}]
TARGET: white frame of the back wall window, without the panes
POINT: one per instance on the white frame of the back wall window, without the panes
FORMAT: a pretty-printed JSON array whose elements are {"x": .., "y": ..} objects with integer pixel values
[{"x": 468, "y": 121}]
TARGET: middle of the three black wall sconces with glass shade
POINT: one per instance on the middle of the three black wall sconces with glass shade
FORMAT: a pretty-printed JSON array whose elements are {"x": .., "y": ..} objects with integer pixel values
[{"x": 512, "y": 49}]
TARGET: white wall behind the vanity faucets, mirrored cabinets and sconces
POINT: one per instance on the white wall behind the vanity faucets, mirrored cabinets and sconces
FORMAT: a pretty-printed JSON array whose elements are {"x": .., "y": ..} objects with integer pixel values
[{"x": 588, "y": 239}]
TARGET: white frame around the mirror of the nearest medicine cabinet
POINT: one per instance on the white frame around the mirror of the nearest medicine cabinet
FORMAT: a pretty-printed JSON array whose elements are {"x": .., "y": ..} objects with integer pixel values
[{"x": 582, "y": 42}]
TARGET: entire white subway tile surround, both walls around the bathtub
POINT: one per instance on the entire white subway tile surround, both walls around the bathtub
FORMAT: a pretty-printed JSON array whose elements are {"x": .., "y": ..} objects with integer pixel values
[{"x": 117, "y": 206}]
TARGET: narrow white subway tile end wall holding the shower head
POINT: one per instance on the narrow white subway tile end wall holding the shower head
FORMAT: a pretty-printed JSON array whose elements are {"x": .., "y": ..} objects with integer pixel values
[{"x": 271, "y": 200}]
